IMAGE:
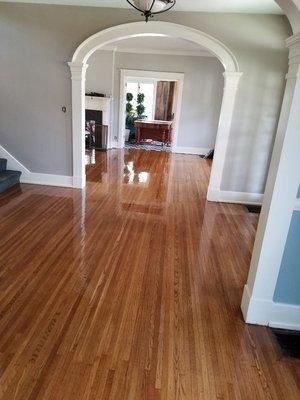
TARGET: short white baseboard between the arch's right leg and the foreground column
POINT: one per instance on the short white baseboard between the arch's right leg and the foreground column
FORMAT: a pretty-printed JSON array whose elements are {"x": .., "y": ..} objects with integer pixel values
[{"x": 224, "y": 196}]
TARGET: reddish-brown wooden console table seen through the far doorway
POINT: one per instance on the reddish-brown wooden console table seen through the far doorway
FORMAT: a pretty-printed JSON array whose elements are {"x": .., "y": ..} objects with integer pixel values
[{"x": 160, "y": 131}]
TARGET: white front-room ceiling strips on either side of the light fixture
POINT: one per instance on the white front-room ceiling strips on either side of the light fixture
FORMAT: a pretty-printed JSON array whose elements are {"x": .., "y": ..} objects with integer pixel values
[{"x": 236, "y": 6}]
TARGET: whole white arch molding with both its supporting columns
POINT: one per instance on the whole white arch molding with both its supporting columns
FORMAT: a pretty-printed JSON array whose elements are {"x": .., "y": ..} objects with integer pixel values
[{"x": 78, "y": 67}]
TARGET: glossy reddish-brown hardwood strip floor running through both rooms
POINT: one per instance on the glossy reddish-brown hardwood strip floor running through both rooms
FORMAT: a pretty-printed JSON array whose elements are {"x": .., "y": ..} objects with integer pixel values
[{"x": 132, "y": 289}]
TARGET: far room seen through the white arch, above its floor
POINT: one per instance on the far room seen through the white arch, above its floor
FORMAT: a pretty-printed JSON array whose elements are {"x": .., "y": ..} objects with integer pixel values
[{"x": 153, "y": 93}]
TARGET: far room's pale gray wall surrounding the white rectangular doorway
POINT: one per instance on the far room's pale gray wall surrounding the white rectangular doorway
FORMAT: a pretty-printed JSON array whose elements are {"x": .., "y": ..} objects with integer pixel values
[{"x": 202, "y": 93}]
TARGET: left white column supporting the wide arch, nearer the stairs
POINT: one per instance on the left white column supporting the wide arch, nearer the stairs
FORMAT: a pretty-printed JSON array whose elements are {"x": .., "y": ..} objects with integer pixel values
[{"x": 78, "y": 71}]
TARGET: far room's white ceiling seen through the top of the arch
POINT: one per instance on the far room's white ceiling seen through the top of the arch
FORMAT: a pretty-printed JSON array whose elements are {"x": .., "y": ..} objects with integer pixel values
[{"x": 161, "y": 45}]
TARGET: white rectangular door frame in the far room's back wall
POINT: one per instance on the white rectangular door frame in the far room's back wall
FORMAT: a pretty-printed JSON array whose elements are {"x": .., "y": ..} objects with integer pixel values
[{"x": 126, "y": 74}]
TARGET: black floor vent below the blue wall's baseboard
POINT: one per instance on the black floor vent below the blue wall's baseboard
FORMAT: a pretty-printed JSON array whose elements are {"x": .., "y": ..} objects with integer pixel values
[{"x": 288, "y": 341}]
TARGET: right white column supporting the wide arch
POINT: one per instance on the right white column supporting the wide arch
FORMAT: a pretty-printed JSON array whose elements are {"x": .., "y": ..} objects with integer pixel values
[{"x": 231, "y": 81}]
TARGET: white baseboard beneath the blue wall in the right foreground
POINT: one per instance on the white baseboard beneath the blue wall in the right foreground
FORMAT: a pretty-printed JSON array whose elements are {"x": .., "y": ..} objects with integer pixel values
[{"x": 269, "y": 313}]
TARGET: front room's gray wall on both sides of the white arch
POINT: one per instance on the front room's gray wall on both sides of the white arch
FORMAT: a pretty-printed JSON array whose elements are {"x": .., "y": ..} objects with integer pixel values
[{"x": 38, "y": 40}]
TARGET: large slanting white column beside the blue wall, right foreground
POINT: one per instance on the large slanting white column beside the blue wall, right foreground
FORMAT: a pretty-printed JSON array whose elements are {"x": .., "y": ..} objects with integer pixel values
[{"x": 279, "y": 201}]
